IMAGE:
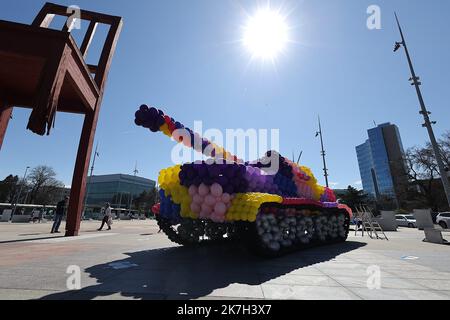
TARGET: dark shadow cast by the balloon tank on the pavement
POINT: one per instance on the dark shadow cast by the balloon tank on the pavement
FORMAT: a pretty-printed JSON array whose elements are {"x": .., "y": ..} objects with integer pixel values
[{"x": 194, "y": 272}]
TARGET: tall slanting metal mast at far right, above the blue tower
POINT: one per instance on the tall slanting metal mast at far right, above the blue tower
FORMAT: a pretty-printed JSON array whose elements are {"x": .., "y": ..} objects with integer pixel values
[{"x": 426, "y": 115}]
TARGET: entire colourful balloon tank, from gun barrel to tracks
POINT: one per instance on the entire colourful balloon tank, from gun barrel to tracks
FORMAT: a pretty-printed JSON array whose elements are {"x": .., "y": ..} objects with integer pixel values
[{"x": 224, "y": 198}]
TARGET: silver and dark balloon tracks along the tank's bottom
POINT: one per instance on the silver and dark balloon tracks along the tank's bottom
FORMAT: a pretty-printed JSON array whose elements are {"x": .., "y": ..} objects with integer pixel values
[{"x": 278, "y": 230}]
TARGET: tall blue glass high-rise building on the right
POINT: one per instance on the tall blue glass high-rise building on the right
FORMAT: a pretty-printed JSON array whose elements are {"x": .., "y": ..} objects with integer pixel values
[{"x": 381, "y": 162}]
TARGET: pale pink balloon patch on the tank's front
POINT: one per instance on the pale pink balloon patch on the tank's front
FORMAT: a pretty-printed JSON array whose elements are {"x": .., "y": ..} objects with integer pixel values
[{"x": 210, "y": 202}]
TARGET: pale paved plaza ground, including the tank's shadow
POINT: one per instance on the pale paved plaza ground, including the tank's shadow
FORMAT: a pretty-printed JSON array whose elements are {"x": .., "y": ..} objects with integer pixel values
[{"x": 133, "y": 261}]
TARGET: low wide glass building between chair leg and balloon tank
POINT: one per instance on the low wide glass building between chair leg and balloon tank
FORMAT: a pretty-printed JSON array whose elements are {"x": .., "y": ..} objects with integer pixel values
[{"x": 116, "y": 189}]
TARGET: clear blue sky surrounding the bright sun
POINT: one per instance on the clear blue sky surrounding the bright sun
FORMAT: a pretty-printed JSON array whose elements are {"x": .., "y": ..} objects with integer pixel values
[{"x": 185, "y": 57}]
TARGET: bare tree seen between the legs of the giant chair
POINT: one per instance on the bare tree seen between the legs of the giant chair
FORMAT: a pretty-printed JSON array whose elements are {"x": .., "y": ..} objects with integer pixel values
[{"x": 43, "y": 183}]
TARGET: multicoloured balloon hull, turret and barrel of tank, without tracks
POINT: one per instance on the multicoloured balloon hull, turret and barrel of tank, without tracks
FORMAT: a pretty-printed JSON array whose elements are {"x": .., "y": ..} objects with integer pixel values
[{"x": 225, "y": 190}]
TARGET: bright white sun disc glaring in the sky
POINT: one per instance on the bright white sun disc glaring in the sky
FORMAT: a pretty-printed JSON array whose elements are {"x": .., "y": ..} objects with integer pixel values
[{"x": 266, "y": 34}]
